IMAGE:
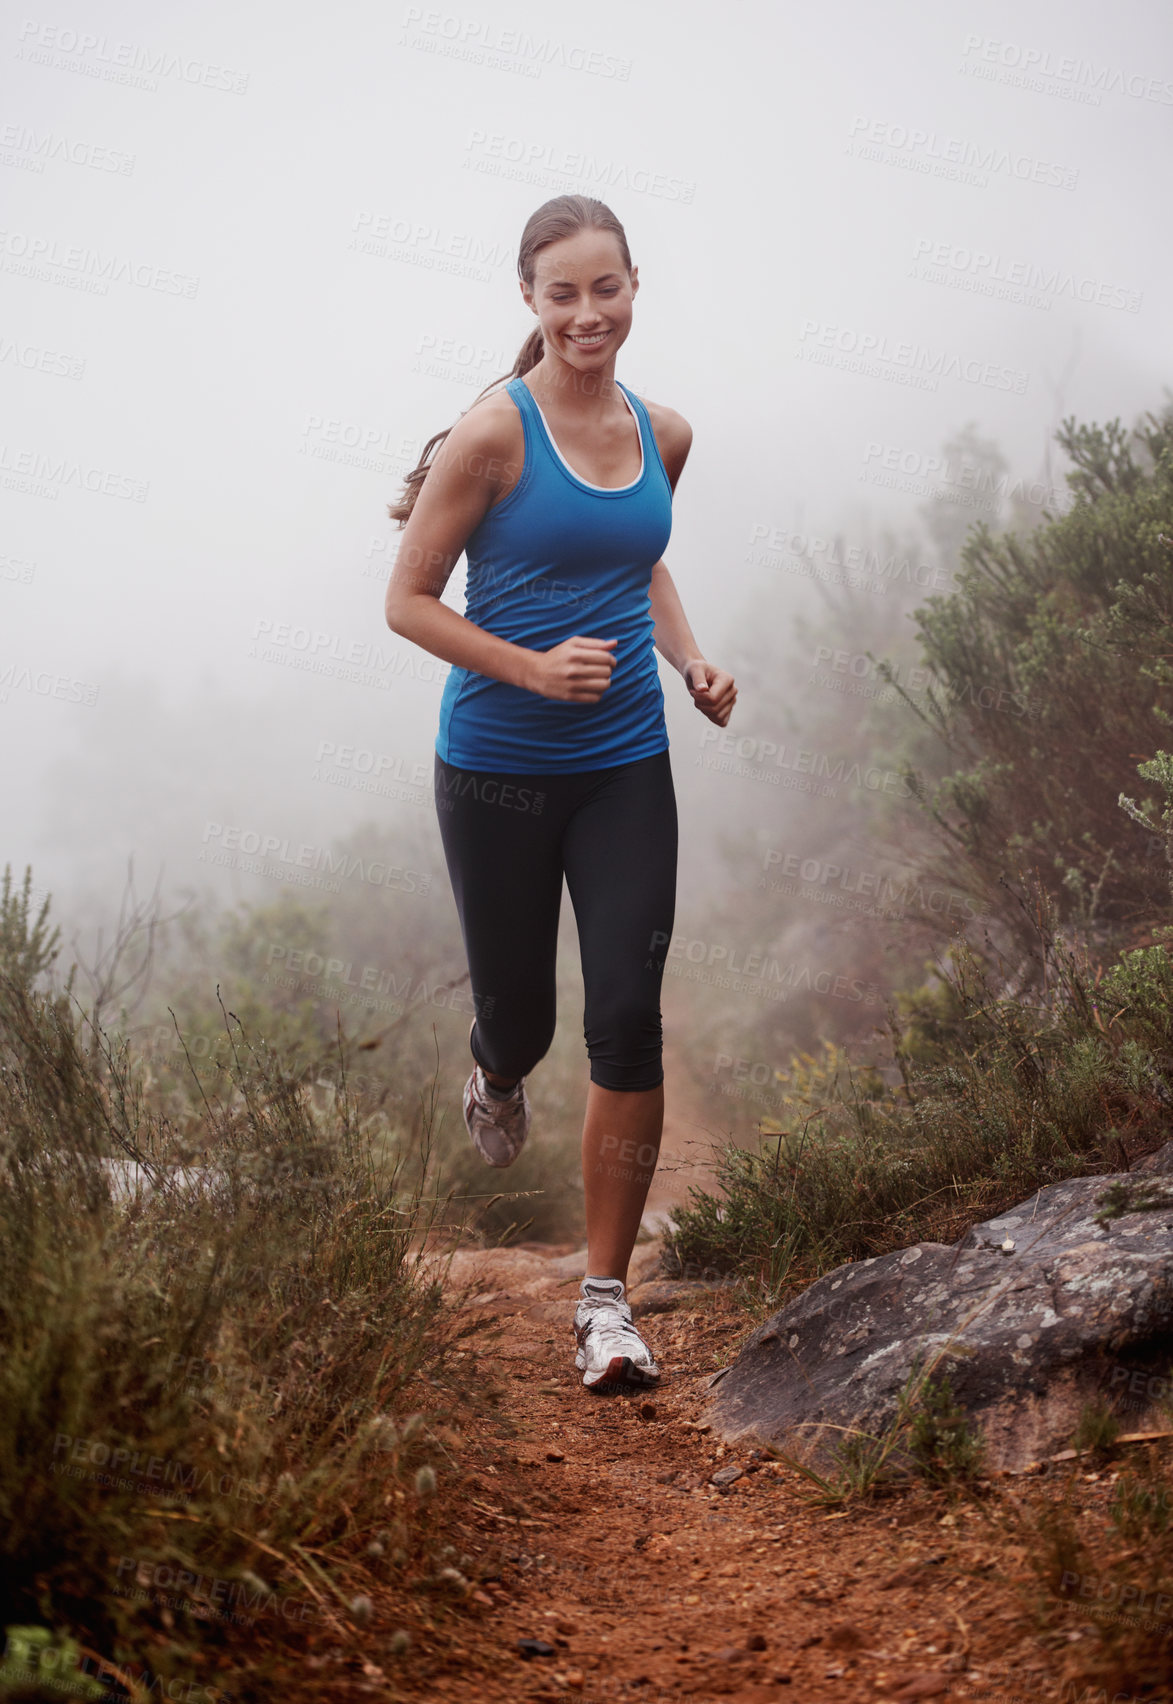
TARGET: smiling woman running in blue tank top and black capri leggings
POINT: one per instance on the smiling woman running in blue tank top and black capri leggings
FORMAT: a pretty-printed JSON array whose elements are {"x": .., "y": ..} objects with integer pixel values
[{"x": 553, "y": 752}]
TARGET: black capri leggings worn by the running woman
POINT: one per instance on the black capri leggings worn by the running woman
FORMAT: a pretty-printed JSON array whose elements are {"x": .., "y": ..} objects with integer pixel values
[{"x": 509, "y": 841}]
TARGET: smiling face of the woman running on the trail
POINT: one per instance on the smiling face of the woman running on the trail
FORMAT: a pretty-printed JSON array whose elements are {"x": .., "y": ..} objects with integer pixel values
[{"x": 582, "y": 297}]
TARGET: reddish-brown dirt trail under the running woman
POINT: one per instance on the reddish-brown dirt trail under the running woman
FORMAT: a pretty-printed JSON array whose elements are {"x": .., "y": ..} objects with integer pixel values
[{"x": 592, "y": 1526}]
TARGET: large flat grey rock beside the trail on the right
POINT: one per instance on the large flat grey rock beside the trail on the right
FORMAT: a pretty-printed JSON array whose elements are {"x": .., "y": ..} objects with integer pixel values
[{"x": 1077, "y": 1313}]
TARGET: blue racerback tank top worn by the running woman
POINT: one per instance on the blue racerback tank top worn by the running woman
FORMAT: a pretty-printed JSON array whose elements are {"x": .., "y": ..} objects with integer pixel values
[{"x": 555, "y": 560}]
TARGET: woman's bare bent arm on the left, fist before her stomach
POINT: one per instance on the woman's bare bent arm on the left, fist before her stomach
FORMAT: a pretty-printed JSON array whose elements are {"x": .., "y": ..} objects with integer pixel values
[{"x": 465, "y": 478}]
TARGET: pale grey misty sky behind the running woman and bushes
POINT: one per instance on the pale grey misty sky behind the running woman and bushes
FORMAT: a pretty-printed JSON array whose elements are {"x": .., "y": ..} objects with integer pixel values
[{"x": 257, "y": 255}]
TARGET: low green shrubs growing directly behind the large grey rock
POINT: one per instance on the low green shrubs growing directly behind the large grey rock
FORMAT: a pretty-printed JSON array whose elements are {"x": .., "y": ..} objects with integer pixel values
[{"x": 997, "y": 1098}]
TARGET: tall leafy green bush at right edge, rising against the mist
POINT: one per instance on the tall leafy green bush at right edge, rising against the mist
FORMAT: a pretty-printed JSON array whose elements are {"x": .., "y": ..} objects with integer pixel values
[{"x": 1055, "y": 647}]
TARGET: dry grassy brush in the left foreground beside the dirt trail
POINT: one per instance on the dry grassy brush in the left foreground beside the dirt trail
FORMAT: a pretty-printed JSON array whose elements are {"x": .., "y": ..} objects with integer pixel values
[{"x": 224, "y": 1398}]
